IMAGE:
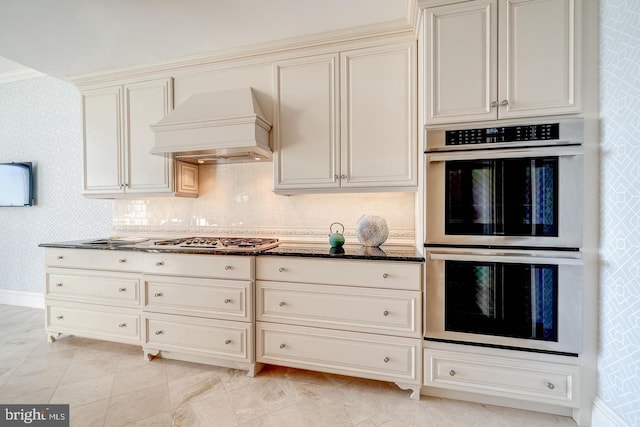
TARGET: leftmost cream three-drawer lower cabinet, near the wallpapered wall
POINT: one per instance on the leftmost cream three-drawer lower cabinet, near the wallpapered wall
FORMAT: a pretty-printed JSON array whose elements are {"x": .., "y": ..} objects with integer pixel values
[{"x": 93, "y": 294}]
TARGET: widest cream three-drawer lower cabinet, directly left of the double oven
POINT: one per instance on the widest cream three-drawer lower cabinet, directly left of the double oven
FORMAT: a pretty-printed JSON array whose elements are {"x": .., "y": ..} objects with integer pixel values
[{"x": 358, "y": 318}]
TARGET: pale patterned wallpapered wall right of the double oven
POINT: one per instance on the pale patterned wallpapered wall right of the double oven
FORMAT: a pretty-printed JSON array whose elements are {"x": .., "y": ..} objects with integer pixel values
[{"x": 619, "y": 357}]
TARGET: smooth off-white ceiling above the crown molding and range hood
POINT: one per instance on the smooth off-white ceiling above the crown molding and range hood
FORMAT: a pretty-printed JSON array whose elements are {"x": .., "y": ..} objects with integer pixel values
[{"x": 66, "y": 38}]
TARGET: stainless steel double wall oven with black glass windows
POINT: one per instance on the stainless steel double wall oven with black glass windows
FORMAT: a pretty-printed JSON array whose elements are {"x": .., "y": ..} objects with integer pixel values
[{"x": 504, "y": 231}]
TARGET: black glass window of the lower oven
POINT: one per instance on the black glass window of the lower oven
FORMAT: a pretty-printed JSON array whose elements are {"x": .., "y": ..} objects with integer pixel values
[{"x": 503, "y": 299}]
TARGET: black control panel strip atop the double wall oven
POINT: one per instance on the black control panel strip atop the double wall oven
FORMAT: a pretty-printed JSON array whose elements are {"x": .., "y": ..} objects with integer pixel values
[{"x": 538, "y": 132}]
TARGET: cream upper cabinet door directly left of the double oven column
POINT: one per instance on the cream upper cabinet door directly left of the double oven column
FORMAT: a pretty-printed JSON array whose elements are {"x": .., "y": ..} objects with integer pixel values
[{"x": 378, "y": 110}]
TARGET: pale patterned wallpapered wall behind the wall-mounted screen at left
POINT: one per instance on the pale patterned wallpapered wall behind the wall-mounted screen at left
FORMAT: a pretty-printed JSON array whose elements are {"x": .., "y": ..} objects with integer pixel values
[{"x": 40, "y": 122}]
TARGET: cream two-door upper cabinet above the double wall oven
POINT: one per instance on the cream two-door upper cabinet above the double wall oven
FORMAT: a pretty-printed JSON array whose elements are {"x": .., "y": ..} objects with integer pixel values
[{"x": 498, "y": 59}]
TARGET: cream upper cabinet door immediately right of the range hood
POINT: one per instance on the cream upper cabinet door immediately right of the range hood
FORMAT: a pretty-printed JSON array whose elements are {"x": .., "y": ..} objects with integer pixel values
[{"x": 306, "y": 129}]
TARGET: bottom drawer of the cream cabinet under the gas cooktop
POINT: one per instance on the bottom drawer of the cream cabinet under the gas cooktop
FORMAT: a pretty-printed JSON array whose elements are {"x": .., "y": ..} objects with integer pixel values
[{"x": 194, "y": 335}]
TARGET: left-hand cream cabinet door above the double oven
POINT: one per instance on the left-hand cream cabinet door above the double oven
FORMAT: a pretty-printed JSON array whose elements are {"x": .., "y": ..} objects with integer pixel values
[{"x": 460, "y": 62}]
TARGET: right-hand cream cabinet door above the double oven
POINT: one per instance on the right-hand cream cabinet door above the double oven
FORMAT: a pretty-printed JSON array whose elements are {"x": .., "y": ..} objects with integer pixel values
[{"x": 538, "y": 58}]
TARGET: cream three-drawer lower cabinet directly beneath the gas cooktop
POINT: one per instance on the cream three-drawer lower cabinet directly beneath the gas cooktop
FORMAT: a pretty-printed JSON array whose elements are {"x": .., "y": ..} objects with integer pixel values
[{"x": 199, "y": 308}]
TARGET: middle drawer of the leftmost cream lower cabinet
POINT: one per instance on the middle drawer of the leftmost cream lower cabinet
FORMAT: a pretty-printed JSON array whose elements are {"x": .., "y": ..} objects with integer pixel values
[{"x": 122, "y": 289}]
